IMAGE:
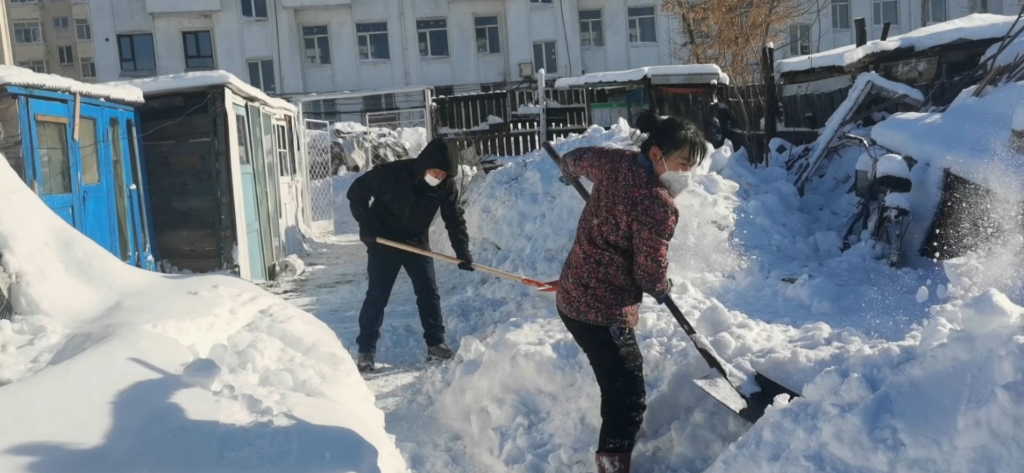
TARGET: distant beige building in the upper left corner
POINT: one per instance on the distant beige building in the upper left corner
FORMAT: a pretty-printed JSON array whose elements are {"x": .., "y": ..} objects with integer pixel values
[{"x": 53, "y": 36}]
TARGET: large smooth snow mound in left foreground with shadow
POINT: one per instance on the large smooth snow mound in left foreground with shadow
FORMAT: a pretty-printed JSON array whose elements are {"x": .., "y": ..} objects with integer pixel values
[{"x": 107, "y": 368}]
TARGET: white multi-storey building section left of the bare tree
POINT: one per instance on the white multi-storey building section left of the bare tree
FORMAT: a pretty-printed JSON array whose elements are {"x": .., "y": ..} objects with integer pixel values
[{"x": 305, "y": 47}]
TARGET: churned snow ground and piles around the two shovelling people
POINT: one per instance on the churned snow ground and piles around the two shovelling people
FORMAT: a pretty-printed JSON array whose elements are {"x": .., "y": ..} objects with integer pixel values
[{"x": 902, "y": 370}]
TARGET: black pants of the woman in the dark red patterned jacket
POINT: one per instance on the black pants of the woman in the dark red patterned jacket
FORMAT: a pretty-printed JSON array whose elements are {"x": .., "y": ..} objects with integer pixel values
[{"x": 619, "y": 367}]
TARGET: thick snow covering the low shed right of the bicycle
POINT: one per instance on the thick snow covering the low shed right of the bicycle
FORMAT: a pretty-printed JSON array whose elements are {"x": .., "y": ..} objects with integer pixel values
[{"x": 972, "y": 139}]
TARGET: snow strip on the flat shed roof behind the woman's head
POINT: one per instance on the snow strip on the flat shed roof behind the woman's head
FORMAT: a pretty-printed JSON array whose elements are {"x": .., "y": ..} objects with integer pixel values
[{"x": 685, "y": 74}]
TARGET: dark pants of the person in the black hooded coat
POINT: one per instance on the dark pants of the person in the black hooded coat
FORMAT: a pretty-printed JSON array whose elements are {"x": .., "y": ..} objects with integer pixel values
[{"x": 383, "y": 266}]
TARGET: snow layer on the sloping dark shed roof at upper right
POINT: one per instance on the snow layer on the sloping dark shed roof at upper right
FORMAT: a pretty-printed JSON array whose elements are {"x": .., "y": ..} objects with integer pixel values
[{"x": 971, "y": 28}]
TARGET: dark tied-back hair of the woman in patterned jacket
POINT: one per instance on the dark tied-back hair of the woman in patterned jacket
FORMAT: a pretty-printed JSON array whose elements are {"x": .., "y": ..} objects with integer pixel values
[{"x": 670, "y": 136}]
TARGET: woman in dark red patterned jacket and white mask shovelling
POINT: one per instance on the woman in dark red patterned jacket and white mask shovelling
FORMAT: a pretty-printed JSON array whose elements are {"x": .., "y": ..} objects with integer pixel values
[{"x": 621, "y": 252}]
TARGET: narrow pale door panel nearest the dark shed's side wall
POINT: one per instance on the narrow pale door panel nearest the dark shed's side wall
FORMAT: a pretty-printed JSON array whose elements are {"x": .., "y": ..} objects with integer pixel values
[{"x": 258, "y": 265}]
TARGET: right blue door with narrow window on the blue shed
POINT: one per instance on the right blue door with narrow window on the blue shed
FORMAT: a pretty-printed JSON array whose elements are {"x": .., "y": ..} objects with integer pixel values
[{"x": 96, "y": 178}]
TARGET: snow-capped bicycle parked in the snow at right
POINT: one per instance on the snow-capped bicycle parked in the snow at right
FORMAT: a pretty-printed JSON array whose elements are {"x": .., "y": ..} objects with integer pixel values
[{"x": 884, "y": 206}]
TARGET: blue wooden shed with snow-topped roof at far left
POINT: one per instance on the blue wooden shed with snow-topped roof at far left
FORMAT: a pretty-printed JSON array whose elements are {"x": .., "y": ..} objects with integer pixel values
[{"x": 76, "y": 145}]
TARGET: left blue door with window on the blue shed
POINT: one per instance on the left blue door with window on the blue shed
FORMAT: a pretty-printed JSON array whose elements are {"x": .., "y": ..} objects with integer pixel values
[{"x": 56, "y": 181}]
